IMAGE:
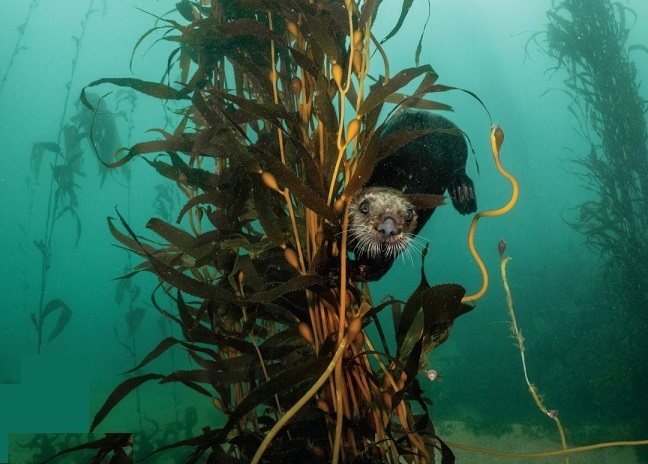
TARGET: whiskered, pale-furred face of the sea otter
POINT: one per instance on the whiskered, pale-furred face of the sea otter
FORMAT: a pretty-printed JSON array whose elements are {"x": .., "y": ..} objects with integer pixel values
[{"x": 380, "y": 222}]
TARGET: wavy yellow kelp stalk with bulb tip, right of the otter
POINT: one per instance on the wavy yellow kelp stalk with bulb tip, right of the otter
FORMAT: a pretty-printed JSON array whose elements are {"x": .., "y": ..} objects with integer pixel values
[{"x": 496, "y": 138}]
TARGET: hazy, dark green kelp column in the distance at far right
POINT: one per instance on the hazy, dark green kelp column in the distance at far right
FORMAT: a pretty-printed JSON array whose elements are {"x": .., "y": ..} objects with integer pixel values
[{"x": 589, "y": 42}]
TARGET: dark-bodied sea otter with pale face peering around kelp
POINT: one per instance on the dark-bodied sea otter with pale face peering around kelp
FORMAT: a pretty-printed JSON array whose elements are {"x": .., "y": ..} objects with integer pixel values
[{"x": 382, "y": 218}]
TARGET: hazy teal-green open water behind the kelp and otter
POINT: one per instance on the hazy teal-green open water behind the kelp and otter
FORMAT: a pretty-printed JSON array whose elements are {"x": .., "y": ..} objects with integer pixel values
[{"x": 580, "y": 336}]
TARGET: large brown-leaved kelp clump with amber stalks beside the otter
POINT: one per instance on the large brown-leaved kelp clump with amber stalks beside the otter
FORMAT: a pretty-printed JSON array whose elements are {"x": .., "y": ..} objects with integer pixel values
[{"x": 266, "y": 158}]
